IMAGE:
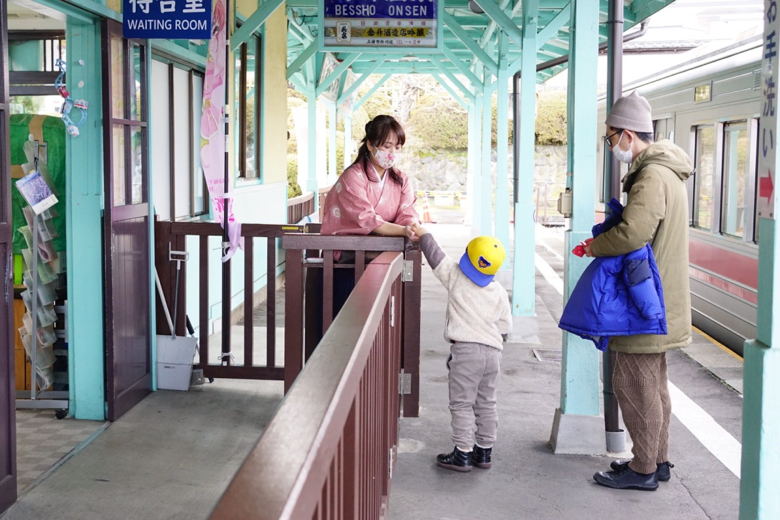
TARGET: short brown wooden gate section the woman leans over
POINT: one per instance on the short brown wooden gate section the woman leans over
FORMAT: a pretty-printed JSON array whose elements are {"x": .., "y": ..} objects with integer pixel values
[{"x": 309, "y": 298}]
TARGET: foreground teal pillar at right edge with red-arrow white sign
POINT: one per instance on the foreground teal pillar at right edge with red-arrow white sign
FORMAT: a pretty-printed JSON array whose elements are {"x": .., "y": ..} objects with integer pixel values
[{"x": 759, "y": 497}]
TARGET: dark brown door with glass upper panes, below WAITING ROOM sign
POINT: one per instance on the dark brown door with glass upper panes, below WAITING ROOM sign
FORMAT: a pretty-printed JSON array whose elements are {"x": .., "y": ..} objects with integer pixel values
[{"x": 126, "y": 221}]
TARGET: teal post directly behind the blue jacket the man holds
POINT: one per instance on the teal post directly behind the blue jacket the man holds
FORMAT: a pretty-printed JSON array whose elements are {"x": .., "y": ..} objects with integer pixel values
[{"x": 580, "y": 365}]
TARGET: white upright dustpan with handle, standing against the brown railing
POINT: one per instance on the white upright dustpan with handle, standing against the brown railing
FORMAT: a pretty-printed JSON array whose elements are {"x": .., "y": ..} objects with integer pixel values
[{"x": 174, "y": 353}]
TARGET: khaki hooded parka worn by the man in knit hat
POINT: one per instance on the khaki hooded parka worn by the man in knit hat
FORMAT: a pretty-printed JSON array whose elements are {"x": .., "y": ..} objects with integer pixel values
[{"x": 656, "y": 212}]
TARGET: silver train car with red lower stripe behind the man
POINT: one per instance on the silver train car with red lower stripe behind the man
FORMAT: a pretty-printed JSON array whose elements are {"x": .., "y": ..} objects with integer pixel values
[{"x": 711, "y": 106}]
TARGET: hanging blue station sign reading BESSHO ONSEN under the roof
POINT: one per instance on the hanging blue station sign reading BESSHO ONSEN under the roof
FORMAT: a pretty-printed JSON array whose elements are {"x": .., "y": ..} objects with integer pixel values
[{"x": 384, "y": 24}]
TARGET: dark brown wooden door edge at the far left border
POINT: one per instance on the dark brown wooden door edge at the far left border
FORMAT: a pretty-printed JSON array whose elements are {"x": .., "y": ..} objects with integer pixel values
[{"x": 7, "y": 388}]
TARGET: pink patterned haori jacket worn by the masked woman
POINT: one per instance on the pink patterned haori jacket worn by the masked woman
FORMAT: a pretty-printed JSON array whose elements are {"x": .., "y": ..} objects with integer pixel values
[{"x": 359, "y": 203}]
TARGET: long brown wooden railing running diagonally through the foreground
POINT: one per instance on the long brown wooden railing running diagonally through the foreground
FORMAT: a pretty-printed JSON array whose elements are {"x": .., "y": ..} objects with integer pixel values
[{"x": 330, "y": 450}]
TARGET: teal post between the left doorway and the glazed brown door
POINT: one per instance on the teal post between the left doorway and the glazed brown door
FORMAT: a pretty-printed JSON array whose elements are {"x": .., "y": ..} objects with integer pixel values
[{"x": 86, "y": 363}]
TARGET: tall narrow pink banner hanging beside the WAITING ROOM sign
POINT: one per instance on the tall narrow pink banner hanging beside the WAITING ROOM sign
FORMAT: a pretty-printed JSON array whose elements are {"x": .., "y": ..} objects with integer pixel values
[{"x": 212, "y": 127}]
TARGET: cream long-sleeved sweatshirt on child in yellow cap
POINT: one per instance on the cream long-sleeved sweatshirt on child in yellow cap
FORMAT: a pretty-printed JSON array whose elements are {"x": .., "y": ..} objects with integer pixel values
[{"x": 474, "y": 314}]
